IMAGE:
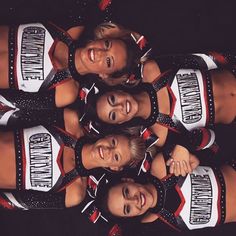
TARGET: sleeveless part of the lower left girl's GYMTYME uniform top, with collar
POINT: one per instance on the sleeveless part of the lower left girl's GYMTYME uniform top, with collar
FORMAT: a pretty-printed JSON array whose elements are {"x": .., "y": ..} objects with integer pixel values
[{"x": 39, "y": 153}]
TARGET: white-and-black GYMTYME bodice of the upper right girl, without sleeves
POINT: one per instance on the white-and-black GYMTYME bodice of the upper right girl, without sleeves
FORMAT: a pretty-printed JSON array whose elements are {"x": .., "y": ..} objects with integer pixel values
[{"x": 191, "y": 99}]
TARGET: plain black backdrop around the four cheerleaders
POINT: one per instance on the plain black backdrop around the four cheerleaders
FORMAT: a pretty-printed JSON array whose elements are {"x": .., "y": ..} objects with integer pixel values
[{"x": 170, "y": 26}]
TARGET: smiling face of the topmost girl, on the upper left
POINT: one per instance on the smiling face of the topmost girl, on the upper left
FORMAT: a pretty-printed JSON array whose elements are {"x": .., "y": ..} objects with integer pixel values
[{"x": 104, "y": 57}]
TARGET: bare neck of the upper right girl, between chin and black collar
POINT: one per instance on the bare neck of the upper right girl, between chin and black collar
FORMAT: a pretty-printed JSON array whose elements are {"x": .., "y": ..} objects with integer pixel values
[{"x": 144, "y": 105}]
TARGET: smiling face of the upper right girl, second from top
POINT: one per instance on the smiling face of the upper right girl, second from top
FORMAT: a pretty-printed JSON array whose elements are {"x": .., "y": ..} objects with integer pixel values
[{"x": 116, "y": 107}]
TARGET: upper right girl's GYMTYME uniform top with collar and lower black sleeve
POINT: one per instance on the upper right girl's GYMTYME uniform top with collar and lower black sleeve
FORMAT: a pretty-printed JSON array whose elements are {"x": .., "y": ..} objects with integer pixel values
[{"x": 191, "y": 106}]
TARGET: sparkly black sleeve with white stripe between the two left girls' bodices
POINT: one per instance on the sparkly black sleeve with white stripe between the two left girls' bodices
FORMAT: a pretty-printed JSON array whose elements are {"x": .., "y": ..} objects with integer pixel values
[{"x": 25, "y": 109}]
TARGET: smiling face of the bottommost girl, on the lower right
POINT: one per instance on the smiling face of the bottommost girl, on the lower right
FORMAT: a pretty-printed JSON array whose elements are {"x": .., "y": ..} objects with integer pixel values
[{"x": 130, "y": 199}]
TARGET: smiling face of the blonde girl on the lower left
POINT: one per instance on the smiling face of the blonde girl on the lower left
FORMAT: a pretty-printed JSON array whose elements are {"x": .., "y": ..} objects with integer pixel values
[{"x": 112, "y": 152}]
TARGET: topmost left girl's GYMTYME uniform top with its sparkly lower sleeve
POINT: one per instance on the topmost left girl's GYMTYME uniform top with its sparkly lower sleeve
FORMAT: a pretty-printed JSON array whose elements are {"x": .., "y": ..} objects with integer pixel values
[{"x": 33, "y": 76}]
